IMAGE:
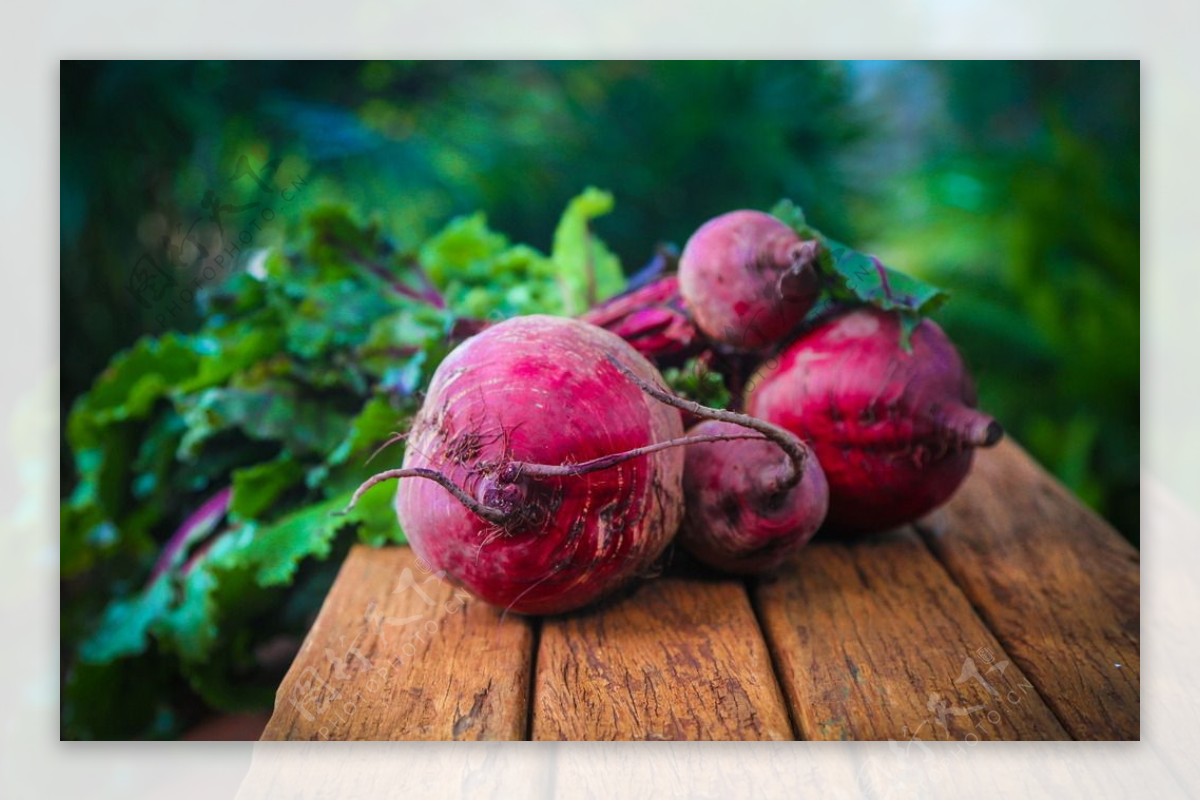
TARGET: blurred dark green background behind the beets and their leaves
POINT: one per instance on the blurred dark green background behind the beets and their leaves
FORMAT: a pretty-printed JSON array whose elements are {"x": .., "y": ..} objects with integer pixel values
[{"x": 1013, "y": 185}]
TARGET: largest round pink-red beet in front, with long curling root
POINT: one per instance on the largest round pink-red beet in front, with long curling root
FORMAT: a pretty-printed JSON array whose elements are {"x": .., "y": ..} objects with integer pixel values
[{"x": 542, "y": 392}]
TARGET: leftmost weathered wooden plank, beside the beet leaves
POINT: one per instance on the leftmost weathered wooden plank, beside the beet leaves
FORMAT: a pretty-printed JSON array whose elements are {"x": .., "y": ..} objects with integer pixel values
[{"x": 397, "y": 654}]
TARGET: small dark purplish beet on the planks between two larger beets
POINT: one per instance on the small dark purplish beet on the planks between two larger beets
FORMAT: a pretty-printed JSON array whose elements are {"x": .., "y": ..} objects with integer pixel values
[{"x": 742, "y": 515}]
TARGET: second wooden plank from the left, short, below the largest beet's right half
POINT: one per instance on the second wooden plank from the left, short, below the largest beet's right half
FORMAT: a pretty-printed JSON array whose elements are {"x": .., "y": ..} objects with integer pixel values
[{"x": 679, "y": 660}]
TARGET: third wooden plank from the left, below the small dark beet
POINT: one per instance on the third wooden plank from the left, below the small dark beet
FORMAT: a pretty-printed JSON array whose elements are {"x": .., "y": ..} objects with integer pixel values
[{"x": 874, "y": 642}]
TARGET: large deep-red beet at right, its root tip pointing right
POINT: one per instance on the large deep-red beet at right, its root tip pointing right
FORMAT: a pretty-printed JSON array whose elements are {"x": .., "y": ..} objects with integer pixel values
[{"x": 895, "y": 431}]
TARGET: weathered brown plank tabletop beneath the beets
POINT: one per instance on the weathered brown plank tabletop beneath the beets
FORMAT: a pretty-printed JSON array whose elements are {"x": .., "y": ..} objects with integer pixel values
[{"x": 1012, "y": 613}]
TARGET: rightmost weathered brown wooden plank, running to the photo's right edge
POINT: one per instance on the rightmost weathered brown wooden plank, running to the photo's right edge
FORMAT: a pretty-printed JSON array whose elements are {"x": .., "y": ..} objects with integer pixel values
[{"x": 1059, "y": 587}]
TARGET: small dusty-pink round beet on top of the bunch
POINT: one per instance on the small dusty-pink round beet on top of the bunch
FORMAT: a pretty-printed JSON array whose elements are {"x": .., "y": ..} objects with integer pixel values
[{"x": 748, "y": 279}]
